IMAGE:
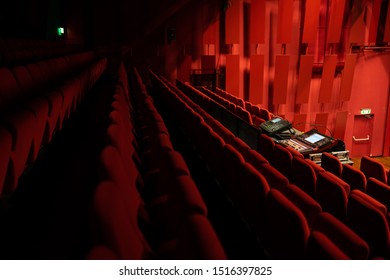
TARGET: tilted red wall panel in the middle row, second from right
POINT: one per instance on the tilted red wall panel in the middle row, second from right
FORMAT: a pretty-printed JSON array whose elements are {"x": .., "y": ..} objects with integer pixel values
[{"x": 328, "y": 72}]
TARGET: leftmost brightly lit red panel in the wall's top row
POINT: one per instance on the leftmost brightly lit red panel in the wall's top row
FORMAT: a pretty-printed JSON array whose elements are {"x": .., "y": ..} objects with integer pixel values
[{"x": 233, "y": 22}]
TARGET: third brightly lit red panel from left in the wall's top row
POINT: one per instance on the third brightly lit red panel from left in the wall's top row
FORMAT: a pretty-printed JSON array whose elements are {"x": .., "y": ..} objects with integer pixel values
[{"x": 284, "y": 28}]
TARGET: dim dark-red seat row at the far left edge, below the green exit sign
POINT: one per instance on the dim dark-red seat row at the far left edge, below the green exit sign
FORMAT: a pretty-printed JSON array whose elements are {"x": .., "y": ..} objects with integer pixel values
[{"x": 32, "y": 124}]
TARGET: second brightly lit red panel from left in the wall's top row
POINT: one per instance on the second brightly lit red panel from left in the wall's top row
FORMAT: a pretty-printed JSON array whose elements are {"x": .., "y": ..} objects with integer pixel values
[{"x": 257, "y": 22}]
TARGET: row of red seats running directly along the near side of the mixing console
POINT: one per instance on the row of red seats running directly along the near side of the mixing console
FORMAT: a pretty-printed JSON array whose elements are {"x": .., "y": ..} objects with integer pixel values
[{"x": 343, "y": 193}]
